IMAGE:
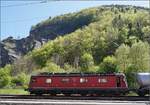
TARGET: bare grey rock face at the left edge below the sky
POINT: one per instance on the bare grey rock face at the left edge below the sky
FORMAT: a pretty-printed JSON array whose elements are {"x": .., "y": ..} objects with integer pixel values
[{"x": 12, "y": 49}]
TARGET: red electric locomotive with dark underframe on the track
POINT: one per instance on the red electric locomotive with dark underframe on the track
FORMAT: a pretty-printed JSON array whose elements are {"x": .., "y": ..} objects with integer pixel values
[{"x": 76, "y": 83}]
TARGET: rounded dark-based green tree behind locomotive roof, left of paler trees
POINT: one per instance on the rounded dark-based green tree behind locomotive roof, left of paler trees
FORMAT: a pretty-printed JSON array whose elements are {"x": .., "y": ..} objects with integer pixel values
[{"x": 108, "y": 65}]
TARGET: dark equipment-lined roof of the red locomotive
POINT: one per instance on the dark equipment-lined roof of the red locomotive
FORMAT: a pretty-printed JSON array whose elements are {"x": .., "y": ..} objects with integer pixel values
[{"x": 77, "y": 74}]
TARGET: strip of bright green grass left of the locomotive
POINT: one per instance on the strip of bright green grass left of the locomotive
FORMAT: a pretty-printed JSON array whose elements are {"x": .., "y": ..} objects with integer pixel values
[{"x": 13, "y": 91}]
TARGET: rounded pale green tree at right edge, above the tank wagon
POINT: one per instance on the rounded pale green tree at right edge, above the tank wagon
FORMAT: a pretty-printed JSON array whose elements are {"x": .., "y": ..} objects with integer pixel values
[{"x": 139, "y": 56}]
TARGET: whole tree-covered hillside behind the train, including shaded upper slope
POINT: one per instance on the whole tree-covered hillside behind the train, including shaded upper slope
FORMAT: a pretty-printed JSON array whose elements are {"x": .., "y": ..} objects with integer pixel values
[{"x": 102, "y": 39}]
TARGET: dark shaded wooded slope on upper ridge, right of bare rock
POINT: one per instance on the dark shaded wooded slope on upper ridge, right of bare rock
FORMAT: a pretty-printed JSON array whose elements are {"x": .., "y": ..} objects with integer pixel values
[{"x": 64, "y": 24}]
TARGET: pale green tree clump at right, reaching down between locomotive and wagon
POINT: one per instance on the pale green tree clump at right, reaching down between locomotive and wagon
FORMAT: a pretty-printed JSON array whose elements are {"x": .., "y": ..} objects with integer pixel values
[{"x": 131, "y": 60}]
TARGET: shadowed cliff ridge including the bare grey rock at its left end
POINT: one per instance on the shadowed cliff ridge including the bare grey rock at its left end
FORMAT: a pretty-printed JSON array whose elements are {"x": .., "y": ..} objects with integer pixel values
[{"x": 12, "y": 49}]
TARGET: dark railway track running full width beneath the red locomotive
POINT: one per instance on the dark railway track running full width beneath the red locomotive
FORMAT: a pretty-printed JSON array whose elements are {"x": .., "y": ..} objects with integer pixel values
[{"x": 123, "y": 98}]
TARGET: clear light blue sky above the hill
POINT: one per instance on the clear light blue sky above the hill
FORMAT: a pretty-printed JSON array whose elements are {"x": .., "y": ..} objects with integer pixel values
[{"x": 17, "y": 17}]
